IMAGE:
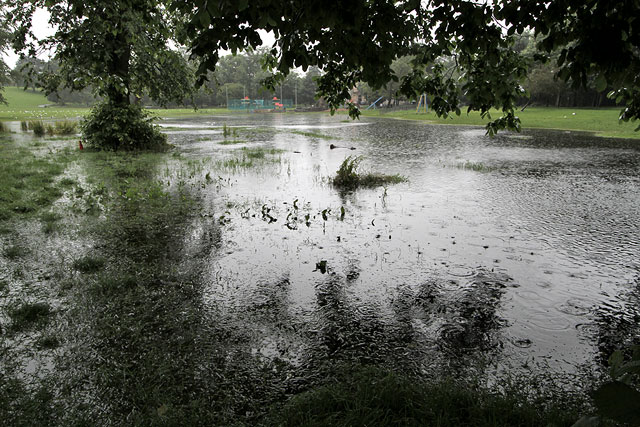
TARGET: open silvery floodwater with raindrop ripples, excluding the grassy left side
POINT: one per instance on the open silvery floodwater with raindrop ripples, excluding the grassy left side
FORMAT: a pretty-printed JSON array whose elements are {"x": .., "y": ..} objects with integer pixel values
[{"x": 524, "y": 247}]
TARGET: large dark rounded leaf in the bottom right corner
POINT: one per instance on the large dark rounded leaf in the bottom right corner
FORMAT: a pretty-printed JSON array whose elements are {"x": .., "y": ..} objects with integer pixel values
[{"x": 618, "y": 402}]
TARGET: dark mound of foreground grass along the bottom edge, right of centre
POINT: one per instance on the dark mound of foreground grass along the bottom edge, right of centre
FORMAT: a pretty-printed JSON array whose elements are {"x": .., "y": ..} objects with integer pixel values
[{"x": 372, "y": 396}]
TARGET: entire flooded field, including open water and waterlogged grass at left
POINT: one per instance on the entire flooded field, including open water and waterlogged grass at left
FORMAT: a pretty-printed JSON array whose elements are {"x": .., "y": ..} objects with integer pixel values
[{"x": 231, "y": 271}]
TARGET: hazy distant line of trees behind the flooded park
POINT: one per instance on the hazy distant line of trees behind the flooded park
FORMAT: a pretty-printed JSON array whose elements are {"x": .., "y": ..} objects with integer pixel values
[{"x": 237, "y": 76}]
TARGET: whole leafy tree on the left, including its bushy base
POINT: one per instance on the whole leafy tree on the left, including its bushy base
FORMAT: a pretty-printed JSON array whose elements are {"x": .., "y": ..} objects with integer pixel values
[{"x": 120, "y": 48}]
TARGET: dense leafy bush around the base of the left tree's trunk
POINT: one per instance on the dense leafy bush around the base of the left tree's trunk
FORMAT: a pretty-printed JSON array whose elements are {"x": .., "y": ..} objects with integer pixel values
[{"x": 117, "y": 127}]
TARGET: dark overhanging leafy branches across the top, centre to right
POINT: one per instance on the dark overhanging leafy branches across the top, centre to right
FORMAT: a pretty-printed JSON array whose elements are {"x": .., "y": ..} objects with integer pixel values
[{"x": 358, "y": 41}]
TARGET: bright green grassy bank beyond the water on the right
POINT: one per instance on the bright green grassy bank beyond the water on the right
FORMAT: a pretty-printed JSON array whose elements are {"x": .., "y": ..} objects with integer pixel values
[{"x": 602, "y": 122}]
